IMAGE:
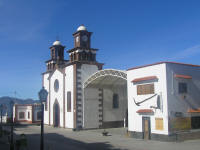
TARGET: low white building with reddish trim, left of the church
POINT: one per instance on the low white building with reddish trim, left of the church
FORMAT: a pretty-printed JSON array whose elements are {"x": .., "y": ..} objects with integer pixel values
[{"x": 28, "y": 113}]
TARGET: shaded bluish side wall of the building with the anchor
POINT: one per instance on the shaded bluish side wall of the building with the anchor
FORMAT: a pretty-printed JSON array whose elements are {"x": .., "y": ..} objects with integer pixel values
[{"x": 176, "y": 103}]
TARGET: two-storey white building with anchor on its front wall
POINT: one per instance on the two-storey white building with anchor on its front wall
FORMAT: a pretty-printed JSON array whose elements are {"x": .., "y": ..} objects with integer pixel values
[{"x": 163, "y": 99}]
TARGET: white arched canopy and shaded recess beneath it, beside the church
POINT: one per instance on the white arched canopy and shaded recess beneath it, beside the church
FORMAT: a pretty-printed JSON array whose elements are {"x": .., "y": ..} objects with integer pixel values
[{"x": 105, "y": 99}]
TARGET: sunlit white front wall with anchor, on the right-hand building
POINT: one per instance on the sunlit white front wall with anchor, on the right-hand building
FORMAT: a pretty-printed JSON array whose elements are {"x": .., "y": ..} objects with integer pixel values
[{"x": 135, "y": 119}]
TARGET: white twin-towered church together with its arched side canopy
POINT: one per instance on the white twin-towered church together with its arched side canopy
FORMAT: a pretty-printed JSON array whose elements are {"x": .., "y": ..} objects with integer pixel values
[{"x": 77, "y": 99}]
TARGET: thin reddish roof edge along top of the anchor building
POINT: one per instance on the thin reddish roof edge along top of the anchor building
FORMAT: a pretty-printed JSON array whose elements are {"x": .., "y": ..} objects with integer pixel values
[{"x": 163, "y": 63}]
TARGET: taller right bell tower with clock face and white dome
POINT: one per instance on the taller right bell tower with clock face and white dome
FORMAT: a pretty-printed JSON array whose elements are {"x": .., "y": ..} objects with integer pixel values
[{"x": 82, "y": 51}]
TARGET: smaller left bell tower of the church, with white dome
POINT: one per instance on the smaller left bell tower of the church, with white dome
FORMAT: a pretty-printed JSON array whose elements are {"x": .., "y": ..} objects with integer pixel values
[{"x": 57, "y": 56}]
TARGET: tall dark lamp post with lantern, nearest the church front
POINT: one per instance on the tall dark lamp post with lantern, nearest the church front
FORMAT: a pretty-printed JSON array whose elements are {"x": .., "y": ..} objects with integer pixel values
[{"x": 43, "y": 98}]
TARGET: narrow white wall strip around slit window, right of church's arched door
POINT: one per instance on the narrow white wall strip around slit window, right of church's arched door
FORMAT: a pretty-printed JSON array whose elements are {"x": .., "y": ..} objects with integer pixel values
[{"x": 69, "y": 86}]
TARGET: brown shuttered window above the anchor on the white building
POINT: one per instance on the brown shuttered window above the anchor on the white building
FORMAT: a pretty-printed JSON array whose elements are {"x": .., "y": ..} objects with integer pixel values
[{"x": 145, "y": 89}]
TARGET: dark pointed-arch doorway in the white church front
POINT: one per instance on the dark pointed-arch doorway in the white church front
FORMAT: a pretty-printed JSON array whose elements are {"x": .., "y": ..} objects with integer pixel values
[{"x": 56, "y": 114}]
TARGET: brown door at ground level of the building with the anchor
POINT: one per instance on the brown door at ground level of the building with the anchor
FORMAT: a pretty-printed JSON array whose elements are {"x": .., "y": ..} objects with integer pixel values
[{"x": 146, "y": 128}]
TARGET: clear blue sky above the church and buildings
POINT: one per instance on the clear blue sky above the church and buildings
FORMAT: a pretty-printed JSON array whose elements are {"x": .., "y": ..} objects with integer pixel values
[{"x": 127, "y": 33}]
